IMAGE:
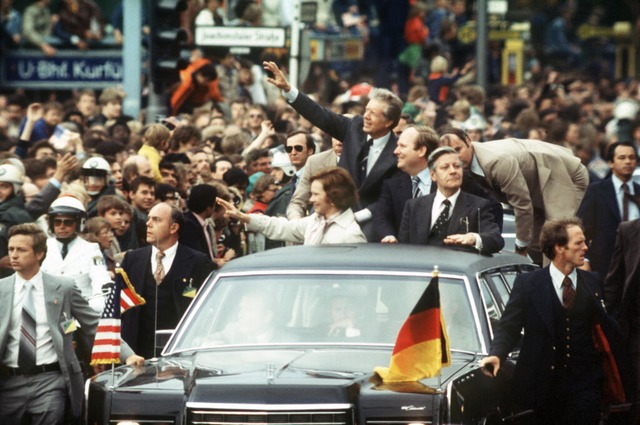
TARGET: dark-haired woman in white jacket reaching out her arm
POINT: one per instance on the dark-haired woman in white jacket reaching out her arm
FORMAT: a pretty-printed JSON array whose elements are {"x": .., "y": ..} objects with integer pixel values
[{"x": 333, "y": 193}]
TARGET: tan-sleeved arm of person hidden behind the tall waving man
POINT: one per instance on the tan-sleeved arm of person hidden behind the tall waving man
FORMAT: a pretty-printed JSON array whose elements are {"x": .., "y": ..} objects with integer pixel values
[{"x": 299, "y": 204}]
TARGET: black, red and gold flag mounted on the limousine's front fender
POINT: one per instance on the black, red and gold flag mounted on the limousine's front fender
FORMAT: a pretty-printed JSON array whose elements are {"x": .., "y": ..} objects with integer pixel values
[{"x": 422, "y": 345}]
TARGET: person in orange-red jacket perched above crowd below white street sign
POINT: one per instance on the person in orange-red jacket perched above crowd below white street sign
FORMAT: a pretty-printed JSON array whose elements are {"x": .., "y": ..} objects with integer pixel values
[{"x": 198, "y": 85}]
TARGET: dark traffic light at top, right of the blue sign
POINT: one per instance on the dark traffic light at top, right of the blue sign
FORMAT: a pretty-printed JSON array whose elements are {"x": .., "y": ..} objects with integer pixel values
[{"x": 167, "y": 41}]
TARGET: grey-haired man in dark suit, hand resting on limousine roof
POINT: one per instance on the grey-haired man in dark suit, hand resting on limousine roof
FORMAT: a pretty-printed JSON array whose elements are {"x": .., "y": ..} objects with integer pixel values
[{"x": 449, "y": 216}]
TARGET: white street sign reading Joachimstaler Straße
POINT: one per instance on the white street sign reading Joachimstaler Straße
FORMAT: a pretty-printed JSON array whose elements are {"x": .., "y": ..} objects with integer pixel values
[{"x": 240, "y": 36}]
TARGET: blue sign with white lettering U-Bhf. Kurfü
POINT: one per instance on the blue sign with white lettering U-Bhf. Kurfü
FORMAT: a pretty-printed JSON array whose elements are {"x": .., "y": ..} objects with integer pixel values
[{"x": 71, "y": 69}]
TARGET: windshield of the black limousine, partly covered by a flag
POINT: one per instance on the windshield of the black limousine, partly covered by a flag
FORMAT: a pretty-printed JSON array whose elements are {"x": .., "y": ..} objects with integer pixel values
[{"x": 316, "y": 309}]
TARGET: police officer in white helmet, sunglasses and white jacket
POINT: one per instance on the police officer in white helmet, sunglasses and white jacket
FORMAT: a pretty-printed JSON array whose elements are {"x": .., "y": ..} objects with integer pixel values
[{"x": 71, "y": 256}]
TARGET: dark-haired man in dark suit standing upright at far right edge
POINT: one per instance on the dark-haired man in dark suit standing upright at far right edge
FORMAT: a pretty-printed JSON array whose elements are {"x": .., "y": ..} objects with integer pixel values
[{"x": 605, "y": 205}]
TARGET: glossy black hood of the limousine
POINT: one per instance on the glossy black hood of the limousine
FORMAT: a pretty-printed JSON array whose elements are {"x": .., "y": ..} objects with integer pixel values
[{"x": 224, "y": 374}]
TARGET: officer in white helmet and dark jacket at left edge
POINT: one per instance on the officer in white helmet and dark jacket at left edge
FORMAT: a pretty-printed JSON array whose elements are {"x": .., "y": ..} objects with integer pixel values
[{"x": 12, "y": 210}]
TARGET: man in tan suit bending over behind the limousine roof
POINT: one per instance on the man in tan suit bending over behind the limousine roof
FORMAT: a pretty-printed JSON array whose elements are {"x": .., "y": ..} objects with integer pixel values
[{"x": 540, "y": 181}]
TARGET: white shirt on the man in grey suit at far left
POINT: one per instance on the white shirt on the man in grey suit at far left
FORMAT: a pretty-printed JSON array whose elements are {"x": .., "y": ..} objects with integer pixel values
[{"x": 45, "y": 351}]
